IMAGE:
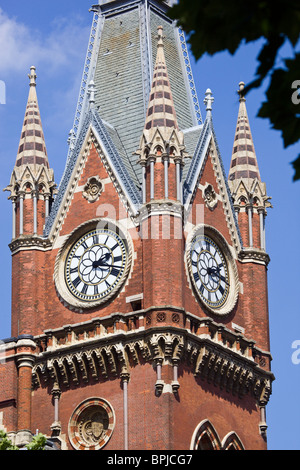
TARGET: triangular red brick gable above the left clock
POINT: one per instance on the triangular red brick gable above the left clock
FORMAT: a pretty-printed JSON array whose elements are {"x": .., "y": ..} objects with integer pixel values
[{"x": 94, "y": 159}]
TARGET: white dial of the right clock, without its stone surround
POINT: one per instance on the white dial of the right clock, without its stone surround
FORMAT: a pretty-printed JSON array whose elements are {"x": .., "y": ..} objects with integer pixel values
[{"x": 209, "y": 271}]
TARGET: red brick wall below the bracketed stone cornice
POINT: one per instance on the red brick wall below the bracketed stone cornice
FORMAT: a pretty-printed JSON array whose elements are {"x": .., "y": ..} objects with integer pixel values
[{"x": 158, "y": 422}]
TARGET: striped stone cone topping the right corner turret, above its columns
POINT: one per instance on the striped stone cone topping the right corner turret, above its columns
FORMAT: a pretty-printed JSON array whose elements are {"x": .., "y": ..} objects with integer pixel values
[{"x": 243, "y": 161}]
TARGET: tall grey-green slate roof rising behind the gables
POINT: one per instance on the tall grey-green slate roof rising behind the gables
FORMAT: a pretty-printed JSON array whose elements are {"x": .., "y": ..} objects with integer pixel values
[{"x": 121, "y": 64}]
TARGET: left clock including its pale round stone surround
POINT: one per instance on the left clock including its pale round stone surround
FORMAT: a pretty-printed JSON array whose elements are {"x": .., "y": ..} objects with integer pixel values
[{"x": 93, "y": 267}]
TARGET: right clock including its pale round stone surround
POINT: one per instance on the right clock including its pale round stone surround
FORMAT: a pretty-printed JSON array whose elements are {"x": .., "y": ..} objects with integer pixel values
[{"x": 213, "y": 273}]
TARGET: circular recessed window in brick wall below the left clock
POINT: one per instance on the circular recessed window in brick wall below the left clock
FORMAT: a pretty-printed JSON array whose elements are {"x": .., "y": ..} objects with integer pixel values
[{"x": 91, "y": 424}]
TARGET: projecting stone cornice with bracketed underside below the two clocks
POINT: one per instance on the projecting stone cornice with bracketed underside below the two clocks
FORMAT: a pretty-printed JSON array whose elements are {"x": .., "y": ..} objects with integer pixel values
[{"x": 103, "y": 349}]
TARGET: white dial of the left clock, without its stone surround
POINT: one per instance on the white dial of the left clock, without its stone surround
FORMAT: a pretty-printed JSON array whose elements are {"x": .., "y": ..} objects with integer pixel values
[{"x": 95, "y": 265}]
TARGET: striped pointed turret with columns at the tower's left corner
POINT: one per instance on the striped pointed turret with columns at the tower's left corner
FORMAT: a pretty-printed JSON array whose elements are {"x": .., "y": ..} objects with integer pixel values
[{"x": 32, "y": 181}]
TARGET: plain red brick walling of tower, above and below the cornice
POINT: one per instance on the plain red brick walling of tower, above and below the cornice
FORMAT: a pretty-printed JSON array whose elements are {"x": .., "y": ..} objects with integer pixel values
[{"x": 159, "y": 272}]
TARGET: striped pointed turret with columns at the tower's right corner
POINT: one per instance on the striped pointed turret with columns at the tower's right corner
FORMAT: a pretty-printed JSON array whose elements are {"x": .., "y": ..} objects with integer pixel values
[{"x": 248, "y": 191}]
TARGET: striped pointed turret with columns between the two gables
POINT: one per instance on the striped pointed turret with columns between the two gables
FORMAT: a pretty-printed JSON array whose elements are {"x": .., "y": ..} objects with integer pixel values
[{"x": 162, "y": 149}]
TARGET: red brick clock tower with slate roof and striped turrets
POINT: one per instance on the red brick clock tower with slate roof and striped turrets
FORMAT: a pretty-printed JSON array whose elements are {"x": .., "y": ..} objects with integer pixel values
[{"x": 139, "y": 299}]
